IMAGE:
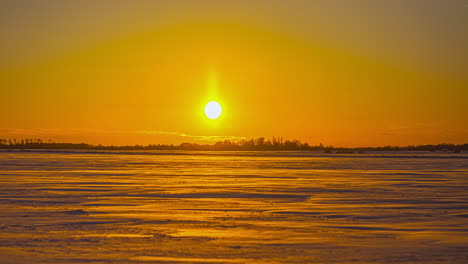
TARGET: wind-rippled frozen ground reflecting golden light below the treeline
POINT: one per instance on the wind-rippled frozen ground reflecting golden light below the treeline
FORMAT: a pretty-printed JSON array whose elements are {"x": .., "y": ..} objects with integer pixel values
[{"x": 232, "y": 207}]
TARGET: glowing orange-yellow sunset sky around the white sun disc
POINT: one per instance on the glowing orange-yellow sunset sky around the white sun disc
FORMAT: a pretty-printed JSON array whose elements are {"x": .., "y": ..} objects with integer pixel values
[{"x": 342, "y": 73}]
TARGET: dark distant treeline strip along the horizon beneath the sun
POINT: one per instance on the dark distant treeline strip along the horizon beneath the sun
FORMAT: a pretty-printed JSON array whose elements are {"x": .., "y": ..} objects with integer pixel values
[{"x": 274, "y": 144}]
